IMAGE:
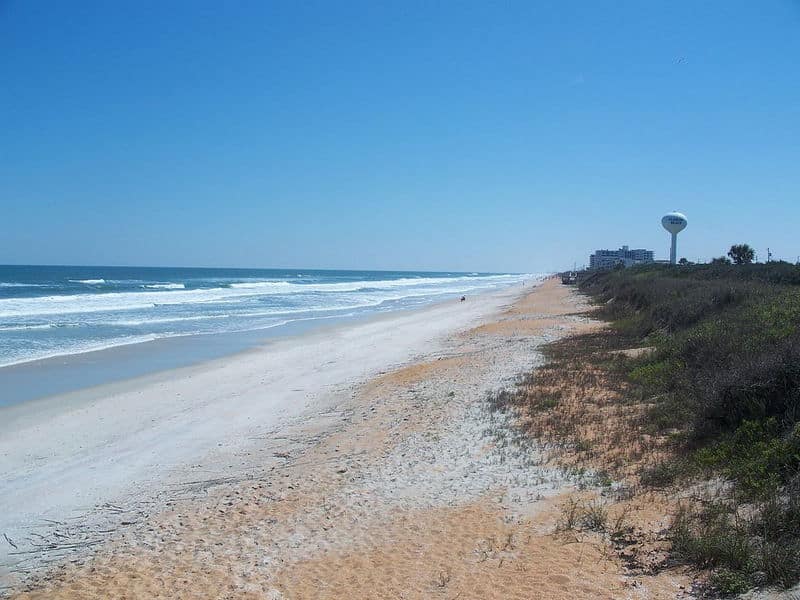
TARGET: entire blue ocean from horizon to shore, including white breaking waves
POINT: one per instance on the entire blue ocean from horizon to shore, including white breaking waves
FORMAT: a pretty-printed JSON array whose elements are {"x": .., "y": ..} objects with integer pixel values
[{"x": 56, "y": 311}]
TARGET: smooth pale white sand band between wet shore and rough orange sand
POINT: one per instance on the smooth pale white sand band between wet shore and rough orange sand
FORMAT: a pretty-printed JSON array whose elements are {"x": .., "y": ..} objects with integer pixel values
[{"x": 68, "y": 454}]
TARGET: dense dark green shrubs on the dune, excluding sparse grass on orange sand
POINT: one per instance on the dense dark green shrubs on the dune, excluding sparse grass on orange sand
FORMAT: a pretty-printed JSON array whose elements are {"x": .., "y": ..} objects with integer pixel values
[{"x": 723, "y": 384}]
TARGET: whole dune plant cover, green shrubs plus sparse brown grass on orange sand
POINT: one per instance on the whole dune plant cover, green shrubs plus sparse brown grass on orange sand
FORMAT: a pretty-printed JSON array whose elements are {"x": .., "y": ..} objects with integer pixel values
[{"x": 711, "y": 403}]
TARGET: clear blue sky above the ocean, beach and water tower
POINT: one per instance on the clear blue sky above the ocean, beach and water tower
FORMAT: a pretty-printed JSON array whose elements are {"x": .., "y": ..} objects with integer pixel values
[{"x": 395, "y": 135}]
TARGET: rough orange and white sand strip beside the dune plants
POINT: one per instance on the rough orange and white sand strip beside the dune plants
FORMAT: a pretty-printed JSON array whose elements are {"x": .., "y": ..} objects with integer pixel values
[{"x": 401, "y": 483}]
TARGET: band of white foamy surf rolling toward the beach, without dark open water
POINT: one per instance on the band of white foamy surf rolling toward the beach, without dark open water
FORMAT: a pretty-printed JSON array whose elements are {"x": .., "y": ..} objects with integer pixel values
[{"x": 153, "y": 307}]
